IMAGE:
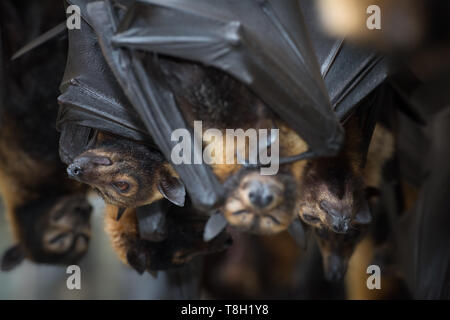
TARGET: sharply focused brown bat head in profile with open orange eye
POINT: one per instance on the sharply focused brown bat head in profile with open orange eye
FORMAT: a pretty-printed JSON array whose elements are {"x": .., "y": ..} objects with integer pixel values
[{"x": 127, "y": 174}]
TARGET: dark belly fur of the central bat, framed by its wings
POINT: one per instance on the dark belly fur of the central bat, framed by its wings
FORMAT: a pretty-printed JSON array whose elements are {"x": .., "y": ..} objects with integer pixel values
[{"x": 212, "y": 96}]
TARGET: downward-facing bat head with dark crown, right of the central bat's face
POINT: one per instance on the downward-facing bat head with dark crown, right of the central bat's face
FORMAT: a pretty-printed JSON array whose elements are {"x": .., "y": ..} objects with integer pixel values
[{"x": 332, "y": 196}]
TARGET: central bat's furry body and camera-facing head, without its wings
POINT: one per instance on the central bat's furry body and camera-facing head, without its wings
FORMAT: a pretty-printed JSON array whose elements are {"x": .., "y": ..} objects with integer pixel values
[{"x": 253, "y": 202}]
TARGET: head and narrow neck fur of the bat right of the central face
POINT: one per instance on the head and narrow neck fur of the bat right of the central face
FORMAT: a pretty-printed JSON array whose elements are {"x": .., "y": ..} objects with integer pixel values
[{"x": 332, "y": 189}]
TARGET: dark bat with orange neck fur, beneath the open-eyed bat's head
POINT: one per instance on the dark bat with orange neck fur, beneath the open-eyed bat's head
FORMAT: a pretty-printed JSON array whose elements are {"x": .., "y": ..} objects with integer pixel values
[{"x": 181, "y": 241}]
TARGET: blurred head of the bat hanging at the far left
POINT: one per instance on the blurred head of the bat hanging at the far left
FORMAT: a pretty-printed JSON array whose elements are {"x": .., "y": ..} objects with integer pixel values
[{"x": 53, "y": 230}]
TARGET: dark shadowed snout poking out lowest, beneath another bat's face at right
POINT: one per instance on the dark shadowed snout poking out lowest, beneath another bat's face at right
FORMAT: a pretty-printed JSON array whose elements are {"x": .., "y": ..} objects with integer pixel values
[{"x": 336, "y": 250}]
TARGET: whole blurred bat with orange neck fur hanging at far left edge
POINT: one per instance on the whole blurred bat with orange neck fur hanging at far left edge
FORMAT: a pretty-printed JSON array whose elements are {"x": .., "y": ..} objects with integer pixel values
[{"x": 48, "y": 213}]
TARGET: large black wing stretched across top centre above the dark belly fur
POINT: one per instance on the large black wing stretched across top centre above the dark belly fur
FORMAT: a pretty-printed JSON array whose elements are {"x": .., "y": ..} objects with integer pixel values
[{"x": 268, "y": 50}]
